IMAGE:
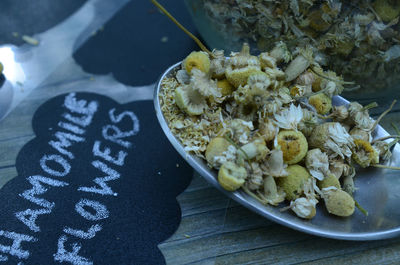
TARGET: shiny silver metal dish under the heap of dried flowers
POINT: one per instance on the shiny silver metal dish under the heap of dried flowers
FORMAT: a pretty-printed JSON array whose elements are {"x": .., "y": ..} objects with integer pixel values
[{"x": 378, "y": 192}]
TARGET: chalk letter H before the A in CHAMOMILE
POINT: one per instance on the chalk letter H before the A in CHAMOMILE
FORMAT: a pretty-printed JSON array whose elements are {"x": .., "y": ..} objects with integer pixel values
[{"x": 15, "y": 249}]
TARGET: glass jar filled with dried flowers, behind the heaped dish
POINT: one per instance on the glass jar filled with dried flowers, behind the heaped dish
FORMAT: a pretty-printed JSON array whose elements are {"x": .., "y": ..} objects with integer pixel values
[{"x": 358, "y": 39}]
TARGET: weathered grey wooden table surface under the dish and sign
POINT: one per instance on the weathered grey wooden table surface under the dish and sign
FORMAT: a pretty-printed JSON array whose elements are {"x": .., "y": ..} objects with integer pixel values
[{"x": 214, "y": 229}]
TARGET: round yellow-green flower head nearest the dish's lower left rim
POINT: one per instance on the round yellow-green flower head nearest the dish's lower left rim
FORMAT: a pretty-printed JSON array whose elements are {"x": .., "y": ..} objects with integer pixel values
[{"x": 231, "y": 176}]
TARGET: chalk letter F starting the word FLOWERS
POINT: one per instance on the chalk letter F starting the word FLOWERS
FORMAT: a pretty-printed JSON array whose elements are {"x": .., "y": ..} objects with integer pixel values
[{"x": 63, "y": 255}]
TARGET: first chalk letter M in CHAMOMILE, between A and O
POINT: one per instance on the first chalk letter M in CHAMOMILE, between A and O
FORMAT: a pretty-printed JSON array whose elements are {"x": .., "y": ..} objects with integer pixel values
[{"x": 39, "y": 189}]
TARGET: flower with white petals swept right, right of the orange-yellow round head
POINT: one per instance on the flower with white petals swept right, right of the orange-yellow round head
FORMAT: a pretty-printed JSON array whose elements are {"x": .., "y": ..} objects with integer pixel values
[{"x": 332, "y": 138}]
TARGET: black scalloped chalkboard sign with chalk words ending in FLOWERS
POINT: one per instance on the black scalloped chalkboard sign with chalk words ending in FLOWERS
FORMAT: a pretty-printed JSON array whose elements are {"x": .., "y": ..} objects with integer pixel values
[{"x": 97, "y": 185}]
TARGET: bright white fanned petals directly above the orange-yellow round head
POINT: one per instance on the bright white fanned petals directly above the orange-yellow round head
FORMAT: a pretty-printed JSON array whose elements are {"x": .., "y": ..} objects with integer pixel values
[{"x": 289, "y": 118}]
